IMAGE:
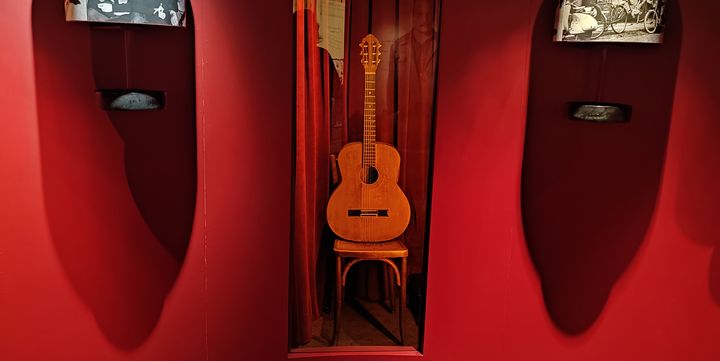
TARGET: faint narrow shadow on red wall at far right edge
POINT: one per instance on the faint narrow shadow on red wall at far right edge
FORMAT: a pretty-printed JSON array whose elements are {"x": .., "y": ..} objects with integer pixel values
[{"x": 698, "y": 196}]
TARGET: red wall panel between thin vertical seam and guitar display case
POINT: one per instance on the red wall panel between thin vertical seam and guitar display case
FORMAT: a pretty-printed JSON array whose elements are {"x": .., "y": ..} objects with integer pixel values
[{"x": 247, "y": 90}]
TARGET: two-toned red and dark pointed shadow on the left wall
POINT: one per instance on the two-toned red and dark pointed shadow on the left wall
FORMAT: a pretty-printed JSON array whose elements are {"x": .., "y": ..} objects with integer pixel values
[{"x": 119, "y": 187}]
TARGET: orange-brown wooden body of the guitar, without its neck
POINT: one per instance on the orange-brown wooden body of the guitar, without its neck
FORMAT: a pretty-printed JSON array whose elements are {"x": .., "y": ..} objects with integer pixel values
[{"x": 358, "y": 211}]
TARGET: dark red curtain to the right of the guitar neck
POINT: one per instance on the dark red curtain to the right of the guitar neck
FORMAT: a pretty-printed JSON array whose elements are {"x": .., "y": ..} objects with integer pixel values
[{"x": 412, "y": 88}]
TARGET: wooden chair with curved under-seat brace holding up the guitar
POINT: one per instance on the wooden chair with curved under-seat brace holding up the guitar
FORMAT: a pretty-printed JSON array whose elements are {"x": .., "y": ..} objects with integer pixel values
[{"x": 349, "y": 253}]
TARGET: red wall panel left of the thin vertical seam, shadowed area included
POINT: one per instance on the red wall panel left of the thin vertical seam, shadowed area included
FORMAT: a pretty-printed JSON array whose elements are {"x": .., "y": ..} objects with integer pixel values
[{"x": 113, "y": 195}]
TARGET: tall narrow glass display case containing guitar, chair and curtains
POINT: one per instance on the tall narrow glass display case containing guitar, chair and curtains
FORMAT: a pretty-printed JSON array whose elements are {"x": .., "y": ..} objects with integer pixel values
[{"x": 365, "y": 80}]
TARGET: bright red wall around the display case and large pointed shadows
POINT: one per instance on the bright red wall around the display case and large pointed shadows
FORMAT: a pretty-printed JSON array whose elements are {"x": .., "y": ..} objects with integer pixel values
[{"x": 229, "y": 301}]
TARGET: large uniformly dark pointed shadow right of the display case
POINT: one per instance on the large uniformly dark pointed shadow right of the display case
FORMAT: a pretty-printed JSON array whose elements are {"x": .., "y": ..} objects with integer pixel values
[{"x": 589, "y": 189}]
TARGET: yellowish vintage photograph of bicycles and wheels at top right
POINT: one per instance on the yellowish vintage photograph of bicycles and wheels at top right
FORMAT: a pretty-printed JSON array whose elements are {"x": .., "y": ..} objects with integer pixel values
[{"x": 620, "y": 21}]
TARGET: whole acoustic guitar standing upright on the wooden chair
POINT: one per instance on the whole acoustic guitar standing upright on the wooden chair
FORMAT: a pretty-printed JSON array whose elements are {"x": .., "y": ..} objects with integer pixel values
[{"x": 368, "y": 205}]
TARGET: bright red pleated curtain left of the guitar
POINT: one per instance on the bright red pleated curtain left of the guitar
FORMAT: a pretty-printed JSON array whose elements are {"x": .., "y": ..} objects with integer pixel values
[{"x": 311, "y": 181}]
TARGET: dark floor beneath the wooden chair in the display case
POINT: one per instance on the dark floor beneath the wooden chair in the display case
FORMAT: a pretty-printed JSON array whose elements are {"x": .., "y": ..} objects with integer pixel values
[{"x": 365, "y": 324}]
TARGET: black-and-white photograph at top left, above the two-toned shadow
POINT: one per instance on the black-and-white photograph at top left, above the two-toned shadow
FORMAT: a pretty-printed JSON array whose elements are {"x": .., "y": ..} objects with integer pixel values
[{"x": 151, "y": 12}]
